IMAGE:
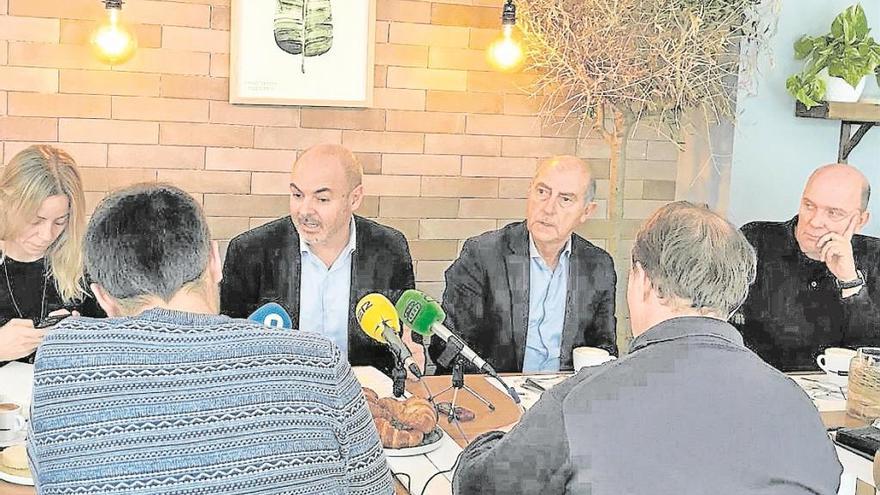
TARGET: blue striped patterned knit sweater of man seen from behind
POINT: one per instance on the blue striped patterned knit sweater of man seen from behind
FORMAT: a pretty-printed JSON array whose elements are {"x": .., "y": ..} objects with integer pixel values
[{"x": 176, "y": 403}]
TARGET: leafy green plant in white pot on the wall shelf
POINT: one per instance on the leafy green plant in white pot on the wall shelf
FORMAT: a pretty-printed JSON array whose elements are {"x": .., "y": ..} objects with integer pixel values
[{"x": 836, "y": 63}]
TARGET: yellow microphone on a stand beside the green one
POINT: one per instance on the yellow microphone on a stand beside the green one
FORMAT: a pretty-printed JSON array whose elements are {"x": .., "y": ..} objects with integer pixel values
[{"x": 377, "y": 318}]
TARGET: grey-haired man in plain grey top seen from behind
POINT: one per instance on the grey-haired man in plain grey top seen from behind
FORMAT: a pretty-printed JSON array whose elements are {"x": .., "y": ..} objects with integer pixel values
[{"x": 690, "y": 410}]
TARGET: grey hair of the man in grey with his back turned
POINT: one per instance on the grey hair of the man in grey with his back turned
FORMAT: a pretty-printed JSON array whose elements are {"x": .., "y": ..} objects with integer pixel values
[{"x": 693, "y": 255}]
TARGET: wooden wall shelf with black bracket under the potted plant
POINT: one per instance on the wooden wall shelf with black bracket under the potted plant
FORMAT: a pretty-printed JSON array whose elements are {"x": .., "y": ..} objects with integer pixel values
[{"x": 865, "y": 115}]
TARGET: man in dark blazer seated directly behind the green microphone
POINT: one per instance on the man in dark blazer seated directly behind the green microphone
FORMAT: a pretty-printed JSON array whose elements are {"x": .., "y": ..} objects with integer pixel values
[{"x": 525, "y": 295}]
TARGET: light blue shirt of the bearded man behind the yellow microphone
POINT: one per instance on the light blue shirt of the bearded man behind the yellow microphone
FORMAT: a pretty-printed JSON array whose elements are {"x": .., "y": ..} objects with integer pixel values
[{"x": 324, "y": 292}]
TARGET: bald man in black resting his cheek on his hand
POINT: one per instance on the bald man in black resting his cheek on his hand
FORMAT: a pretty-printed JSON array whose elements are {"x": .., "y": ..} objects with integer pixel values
[{"x": 817, "y": 283}]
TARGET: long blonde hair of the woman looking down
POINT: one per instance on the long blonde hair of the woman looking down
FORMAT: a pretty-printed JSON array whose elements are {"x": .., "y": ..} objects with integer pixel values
[{"x": 33, "y": 175}]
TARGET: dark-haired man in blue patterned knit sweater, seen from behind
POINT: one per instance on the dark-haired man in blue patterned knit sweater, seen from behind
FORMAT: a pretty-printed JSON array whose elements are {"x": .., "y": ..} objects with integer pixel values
[{"x": 166, "y": 396}]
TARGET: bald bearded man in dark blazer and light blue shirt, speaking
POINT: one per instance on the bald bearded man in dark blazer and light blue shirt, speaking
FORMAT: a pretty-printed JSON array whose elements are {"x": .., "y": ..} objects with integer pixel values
[{"x": 319, "y": 261}]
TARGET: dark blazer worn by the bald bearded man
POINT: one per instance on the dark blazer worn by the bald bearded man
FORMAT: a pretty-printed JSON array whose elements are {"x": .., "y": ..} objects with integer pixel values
[{"x": 263, "y": 265}]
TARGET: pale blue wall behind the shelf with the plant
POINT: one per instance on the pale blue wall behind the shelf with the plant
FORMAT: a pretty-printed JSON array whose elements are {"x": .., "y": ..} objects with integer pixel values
[{"x": 774, "y": 151}]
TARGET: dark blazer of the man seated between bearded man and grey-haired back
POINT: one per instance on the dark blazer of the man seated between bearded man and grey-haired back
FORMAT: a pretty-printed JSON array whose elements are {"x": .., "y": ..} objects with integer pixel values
[{"x": 487, "y": 298}]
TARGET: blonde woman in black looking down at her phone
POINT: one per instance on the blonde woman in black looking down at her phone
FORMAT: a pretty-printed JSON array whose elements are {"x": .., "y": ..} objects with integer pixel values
[{"x": 42, "y": 220}]
